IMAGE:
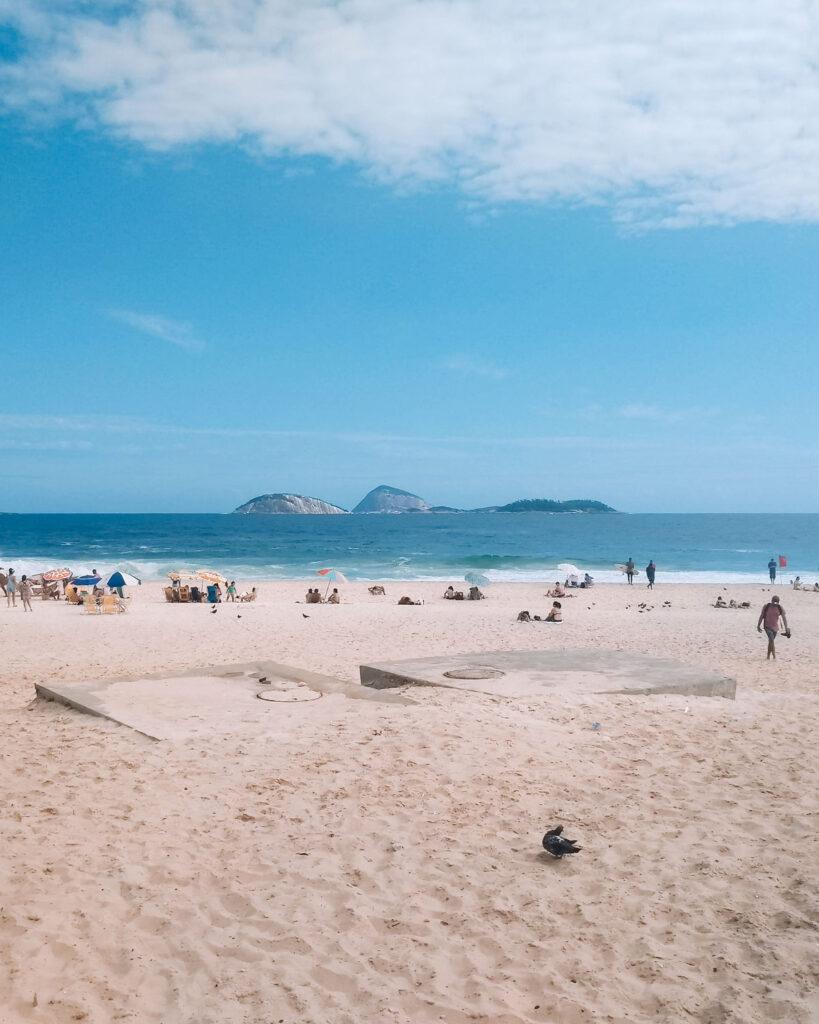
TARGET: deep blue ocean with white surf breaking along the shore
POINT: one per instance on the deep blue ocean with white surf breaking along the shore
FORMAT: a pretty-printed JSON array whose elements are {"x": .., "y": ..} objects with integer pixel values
[{"x": 506, "y": 547}]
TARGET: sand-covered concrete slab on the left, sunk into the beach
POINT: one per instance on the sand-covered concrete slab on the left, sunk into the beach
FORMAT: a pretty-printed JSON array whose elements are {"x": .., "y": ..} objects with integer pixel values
[{"x": 207, "y": 702}]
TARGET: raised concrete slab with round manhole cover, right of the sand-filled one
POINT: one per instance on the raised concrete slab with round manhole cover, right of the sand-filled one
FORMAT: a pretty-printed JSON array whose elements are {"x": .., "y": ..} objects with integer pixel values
[{"x": 518, "y": 673}]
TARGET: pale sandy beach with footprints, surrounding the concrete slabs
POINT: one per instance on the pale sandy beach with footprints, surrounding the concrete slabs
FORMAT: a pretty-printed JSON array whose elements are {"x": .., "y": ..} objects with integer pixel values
[{"x": 382, "y": 864}]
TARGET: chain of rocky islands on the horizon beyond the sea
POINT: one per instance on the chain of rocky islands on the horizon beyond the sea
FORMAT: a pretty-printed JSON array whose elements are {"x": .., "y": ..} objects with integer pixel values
[{"x": 385, "y": 500}]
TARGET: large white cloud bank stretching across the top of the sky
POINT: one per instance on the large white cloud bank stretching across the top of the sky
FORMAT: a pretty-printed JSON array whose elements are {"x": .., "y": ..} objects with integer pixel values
[{"x": 675, "y": 112}]
